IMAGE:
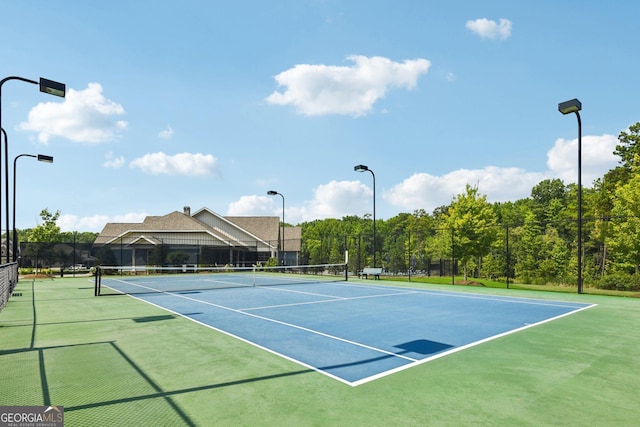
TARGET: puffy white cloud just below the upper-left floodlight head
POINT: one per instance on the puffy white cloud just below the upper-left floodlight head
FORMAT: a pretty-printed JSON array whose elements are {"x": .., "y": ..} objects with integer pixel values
[{"x": 84, "y": 116}]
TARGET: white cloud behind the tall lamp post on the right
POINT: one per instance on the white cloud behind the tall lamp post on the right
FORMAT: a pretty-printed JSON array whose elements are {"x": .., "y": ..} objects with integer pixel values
[{"x": 597, "y": 158}]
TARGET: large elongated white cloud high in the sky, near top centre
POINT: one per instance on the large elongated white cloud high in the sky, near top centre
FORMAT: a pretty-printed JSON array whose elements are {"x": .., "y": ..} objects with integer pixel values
[{"x": 317, "y": 90}]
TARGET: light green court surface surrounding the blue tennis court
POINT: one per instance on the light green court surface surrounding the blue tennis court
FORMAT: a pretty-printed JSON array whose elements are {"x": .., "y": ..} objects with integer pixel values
[{"x": 118, "y": 361}]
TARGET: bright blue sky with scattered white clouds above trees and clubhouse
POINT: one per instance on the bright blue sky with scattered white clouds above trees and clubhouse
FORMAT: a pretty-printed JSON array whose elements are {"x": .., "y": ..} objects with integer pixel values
[{"x": 212, "y": 104}]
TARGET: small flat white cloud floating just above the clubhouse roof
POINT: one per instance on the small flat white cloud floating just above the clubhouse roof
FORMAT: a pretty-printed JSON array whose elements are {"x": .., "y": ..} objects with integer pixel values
[{"x": 179, "y": 164}]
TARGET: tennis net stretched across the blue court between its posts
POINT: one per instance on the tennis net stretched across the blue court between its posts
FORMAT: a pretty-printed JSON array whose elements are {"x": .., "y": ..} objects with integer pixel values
[{"x": 141, "y": 280}]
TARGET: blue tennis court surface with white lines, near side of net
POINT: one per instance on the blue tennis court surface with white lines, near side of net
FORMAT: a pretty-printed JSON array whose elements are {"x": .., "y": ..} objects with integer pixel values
[{"x": 356, "y": 332}]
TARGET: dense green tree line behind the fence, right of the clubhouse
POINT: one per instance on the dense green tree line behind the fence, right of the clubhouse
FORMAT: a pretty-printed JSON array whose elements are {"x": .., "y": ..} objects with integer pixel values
[{"x": 531, "y": 240}]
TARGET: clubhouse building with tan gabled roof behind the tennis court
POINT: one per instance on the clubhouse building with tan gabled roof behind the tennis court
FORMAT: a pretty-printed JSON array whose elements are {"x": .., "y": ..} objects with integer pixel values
[{"x": 202, "y": 238}]
